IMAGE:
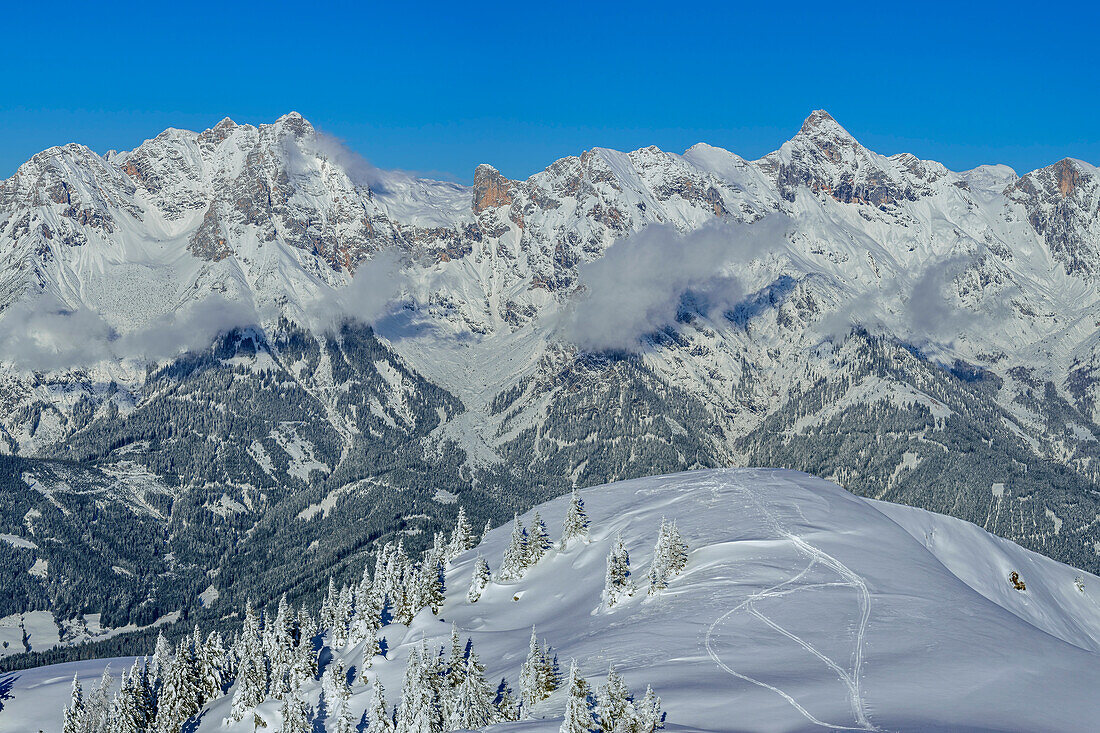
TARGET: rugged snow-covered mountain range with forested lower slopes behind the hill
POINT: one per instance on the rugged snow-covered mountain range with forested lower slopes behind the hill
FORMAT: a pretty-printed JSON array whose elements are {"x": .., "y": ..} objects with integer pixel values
[{"x": 918, "y": 335}]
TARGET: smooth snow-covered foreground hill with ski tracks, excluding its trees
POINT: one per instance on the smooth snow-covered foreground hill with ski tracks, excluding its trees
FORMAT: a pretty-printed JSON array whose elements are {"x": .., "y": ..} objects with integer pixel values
[{"x": 801, "y": 608}]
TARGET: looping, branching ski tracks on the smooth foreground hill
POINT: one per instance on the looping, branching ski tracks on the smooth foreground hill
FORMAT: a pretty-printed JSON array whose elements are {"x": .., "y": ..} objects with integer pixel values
[{"x": 851, "y": 680}]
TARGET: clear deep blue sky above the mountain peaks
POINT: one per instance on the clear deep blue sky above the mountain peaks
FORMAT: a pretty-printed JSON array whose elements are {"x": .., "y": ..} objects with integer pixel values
[{"x": 442, "y": 87}]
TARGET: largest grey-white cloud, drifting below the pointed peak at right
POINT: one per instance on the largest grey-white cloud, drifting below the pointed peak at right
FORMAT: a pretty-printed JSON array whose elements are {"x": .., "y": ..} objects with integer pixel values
[{"x": 637, "y": 287}]
